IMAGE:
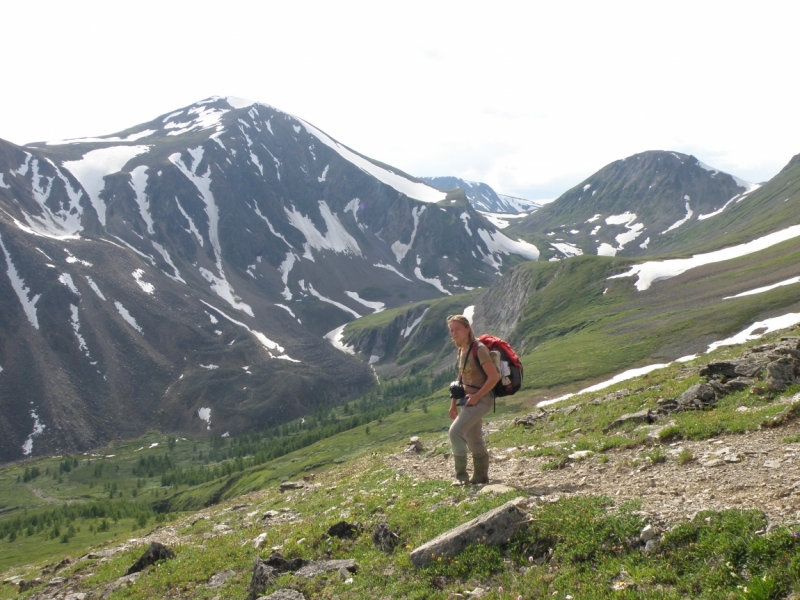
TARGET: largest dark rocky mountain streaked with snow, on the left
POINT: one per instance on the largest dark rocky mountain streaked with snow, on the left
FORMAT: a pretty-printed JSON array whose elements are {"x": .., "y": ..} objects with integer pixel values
[{"x": 181, "y": 274}]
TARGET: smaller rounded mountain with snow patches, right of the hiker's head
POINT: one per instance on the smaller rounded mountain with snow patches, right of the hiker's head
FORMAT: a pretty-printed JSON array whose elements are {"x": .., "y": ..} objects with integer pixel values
[{"x": 634, "y": 206}]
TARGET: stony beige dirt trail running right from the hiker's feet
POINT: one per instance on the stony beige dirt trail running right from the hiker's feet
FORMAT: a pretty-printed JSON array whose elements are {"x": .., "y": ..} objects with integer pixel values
[{"x": 752, "y": 471}]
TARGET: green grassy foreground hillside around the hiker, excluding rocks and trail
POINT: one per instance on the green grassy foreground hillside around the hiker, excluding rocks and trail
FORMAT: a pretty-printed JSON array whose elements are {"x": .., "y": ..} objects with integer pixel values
[{"x": 577, "y": 544}]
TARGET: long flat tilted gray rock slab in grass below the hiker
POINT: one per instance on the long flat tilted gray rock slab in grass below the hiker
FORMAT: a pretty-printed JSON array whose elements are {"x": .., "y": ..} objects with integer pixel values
[{"x": 494, "y": 527}]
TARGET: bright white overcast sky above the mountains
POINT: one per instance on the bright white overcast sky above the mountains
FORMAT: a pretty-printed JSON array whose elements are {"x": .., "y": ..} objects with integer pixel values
[{"x": 530, "y": 97}]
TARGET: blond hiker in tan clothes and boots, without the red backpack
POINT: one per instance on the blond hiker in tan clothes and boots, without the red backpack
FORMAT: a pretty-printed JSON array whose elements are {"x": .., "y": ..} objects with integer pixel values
[{"x": 478, "y": 378}]
